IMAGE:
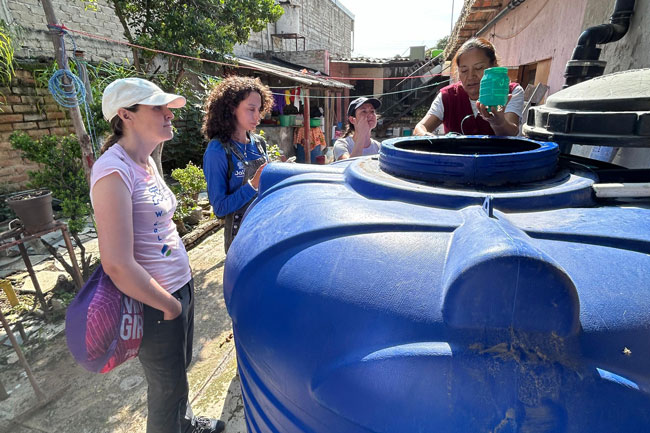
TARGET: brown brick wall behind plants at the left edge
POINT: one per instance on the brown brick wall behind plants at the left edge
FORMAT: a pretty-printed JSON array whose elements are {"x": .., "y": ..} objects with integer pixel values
[{"x": 26, "y": 108}]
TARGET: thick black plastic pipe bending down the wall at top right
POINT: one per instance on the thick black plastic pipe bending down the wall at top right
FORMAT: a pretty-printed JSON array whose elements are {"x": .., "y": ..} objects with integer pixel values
[{"x": 585, "y": 63}]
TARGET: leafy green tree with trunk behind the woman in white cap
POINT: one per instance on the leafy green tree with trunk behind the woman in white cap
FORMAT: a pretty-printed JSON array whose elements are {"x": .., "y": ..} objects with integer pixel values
[{"x": 206, "y": 29}]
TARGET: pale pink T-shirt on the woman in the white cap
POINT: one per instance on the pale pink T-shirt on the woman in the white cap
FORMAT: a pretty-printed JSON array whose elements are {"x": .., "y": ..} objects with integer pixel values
[{"x": 157, "y": 247}]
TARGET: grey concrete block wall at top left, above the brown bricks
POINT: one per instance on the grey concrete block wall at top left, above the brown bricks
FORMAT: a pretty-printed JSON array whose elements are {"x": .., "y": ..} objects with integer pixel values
[{"x": 35, "y": 42}]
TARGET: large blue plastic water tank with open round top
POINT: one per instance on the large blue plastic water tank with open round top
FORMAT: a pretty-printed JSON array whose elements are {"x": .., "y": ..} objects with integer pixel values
[{"x": 465, "y": 284}]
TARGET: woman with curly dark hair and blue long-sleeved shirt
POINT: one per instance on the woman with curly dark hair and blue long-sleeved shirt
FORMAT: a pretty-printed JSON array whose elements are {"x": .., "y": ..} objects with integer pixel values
[{"x": 235, "y": 157}]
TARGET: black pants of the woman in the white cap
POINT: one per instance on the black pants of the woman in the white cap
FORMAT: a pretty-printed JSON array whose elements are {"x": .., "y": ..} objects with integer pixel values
[{"x": 165, "y": 354}]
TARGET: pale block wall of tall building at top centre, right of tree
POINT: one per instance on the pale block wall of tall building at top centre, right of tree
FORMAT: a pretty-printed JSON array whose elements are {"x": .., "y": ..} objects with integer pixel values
[{"x": 324, "y": 24}]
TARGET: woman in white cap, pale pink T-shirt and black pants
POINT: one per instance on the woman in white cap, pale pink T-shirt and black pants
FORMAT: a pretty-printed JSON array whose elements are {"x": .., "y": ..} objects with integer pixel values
[{"x": 141, "y": 250}]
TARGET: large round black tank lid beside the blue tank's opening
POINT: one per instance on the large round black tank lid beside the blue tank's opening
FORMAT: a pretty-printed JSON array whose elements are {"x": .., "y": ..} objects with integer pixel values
[{"x": 611, "y": 110}]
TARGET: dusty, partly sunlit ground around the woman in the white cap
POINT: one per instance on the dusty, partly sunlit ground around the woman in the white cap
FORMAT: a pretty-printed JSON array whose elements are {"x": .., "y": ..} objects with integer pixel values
[{"x": 83, "y": 402}]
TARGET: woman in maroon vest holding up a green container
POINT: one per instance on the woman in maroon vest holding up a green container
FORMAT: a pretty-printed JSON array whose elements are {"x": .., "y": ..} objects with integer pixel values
[{"x": 457, "y": 106}]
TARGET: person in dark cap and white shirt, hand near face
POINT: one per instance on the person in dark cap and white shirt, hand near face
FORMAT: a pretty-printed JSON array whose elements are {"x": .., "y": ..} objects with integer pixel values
[{"x": 356, "y": 141}]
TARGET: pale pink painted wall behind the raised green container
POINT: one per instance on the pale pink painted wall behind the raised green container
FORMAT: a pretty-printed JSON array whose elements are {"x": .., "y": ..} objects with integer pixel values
[{"x": 540, "y": 30}]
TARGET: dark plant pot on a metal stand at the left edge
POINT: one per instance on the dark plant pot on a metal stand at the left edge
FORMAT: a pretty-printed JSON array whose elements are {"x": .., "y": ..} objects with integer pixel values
[{"x": 33, "y": 208}]
